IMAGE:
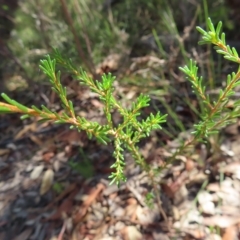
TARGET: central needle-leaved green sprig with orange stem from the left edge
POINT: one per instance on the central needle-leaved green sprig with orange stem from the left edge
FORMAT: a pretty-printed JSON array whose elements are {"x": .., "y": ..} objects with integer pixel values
[{"x": 125, "y": 136}]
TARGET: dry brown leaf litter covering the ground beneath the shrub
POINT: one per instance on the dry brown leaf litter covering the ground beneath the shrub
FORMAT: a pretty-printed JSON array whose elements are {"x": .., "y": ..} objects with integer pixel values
[{"x": 54, "y": 181}]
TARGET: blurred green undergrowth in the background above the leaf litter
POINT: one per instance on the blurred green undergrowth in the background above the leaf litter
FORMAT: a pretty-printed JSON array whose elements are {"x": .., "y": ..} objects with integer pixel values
[{"x": 38, "y": 27}]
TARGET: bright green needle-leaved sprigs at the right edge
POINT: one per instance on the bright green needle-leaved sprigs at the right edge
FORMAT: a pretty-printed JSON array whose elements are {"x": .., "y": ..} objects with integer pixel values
[{"x": 216, "y": 113}]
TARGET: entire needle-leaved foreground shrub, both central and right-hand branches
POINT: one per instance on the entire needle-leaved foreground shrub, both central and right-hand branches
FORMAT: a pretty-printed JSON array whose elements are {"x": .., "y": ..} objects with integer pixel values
[{"x": 127, "y": 134}]
